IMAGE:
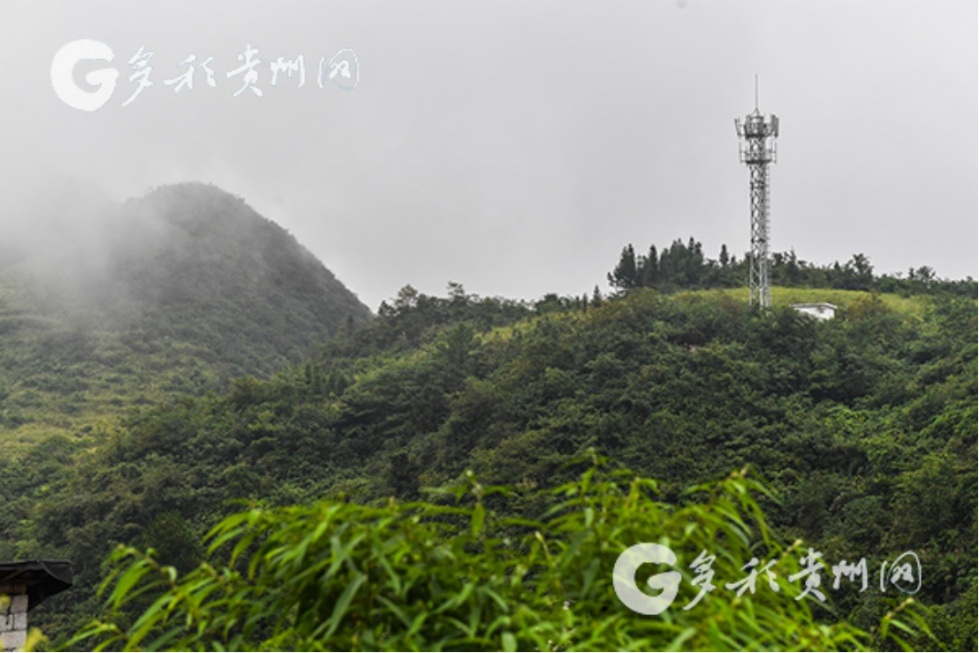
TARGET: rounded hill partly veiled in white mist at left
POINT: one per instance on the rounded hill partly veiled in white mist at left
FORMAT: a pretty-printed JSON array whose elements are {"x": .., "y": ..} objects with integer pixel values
[{"x": 106, "y": 307}]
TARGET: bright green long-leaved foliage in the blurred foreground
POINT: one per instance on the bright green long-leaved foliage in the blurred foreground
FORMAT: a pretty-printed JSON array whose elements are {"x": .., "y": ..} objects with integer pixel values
[{"x": 454, "y": 575}]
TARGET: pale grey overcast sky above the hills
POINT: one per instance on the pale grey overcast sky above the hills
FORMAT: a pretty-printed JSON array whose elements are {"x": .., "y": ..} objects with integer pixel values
[{"x": 516, "y": 146}]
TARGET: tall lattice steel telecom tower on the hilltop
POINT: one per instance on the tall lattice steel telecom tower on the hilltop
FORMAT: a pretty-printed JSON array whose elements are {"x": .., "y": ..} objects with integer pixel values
[{"x": 756, "y": 137}]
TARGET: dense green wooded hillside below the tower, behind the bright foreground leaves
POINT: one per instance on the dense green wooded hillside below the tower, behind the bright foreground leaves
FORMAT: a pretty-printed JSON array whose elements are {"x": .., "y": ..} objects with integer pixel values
[{"x": 866, "y": 425}]
